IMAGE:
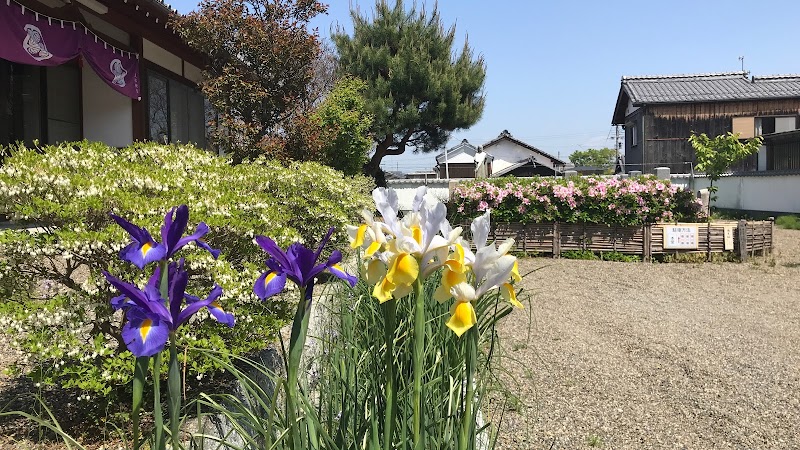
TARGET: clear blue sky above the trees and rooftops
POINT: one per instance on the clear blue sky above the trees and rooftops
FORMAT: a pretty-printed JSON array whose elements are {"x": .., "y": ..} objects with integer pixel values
[{"x": 554, "y": 68}]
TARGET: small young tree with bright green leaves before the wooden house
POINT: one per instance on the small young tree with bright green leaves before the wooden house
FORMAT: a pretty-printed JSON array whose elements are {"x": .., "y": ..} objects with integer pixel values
[{"x": 715, "y": 156}]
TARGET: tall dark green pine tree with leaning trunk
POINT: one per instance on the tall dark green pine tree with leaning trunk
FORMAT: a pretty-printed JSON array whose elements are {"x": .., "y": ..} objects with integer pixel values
[{"x": 417, "y": 91}]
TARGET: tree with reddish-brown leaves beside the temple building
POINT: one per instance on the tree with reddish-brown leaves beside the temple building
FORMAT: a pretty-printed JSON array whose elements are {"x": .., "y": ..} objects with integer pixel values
[{"x": 261, "y": 61}]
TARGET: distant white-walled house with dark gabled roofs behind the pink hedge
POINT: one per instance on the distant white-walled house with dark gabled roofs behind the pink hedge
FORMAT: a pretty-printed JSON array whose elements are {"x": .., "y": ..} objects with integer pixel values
[{"x": 502, "y": 156}]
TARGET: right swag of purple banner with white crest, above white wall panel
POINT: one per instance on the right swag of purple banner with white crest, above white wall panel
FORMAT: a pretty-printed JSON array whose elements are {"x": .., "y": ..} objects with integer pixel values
[{"x": 118, "y": 69}]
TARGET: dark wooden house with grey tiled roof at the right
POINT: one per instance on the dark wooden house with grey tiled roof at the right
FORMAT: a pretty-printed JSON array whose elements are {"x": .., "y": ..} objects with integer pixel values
[{"x": 659, "y": 113}]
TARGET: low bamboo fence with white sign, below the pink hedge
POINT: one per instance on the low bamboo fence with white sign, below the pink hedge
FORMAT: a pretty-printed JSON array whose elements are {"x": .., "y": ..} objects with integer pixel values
[{"x": 648, "y": 240}]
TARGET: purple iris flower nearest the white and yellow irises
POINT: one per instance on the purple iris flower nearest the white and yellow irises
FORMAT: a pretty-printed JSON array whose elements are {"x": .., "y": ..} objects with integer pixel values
[{"x": 298, "y": 264}]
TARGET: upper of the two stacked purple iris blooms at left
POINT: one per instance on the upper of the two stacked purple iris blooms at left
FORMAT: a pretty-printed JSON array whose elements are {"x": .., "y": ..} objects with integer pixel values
[{"x": 144, "y": 249}]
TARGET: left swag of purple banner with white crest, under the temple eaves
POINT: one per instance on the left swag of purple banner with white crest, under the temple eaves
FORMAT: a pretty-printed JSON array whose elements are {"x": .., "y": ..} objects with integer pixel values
[{"x": 27, "y": 37}]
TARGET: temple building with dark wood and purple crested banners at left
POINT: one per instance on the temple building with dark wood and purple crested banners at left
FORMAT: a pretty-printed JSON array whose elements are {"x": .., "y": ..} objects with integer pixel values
[{"x": 104, "y": 70}]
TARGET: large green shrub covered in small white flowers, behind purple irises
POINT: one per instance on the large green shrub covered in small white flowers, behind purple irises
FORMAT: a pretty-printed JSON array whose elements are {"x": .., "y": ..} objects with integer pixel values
[{"x": 54, "y": 303}]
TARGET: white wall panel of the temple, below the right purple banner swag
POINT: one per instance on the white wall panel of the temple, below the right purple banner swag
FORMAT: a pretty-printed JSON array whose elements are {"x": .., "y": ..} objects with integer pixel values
[{"x": 107, "y": 114}]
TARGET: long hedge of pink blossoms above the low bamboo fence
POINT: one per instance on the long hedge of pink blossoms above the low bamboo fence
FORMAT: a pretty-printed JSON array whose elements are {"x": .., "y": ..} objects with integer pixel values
[{"x": 611, "y": 201}]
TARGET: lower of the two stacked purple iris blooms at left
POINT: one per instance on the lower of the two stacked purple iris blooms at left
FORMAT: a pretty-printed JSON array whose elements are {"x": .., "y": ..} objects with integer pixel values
[{"x": 151, "y": 319}]
